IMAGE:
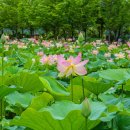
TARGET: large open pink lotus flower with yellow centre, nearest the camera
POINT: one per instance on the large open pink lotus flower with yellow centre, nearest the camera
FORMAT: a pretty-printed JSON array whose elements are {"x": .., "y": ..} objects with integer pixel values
[{"x": 71, "y": 66}]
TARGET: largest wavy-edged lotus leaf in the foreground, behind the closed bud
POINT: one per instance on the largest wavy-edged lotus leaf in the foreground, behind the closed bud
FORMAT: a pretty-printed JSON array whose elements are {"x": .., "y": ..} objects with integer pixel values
[{"x": 55, "y": 117}]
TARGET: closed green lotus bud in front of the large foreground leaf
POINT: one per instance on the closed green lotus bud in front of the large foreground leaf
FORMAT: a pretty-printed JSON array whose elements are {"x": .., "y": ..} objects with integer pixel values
[{"x": 86, "y": 110}]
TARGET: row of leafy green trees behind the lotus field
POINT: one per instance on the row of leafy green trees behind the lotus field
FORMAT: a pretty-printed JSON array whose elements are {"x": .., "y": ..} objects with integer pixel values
[{"x": 66, "y": 18}]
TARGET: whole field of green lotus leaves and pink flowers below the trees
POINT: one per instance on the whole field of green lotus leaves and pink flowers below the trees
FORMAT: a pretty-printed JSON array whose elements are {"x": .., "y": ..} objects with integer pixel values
[{"x": 58, "y": 85}]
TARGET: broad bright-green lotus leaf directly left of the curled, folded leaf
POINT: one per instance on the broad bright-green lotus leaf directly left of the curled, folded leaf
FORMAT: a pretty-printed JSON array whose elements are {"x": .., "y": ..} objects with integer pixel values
[{"x": 26, "y": 81}]
